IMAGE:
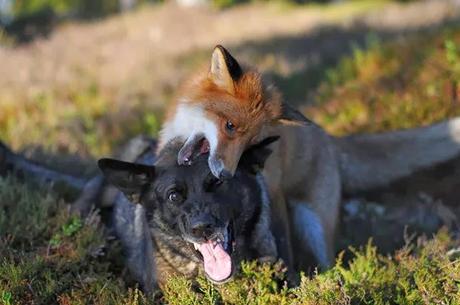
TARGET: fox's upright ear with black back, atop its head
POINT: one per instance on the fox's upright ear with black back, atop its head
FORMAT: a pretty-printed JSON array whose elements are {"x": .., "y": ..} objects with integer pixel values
[{"x": 224, "y": 69}]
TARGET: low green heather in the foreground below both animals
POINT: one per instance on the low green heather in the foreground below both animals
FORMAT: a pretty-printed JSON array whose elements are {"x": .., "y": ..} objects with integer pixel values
[{"x": 49, "y": 256}]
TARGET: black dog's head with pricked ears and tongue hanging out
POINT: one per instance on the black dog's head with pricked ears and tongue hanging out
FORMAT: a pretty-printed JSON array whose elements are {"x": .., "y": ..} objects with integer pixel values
[{"x": 213, "y": 218}]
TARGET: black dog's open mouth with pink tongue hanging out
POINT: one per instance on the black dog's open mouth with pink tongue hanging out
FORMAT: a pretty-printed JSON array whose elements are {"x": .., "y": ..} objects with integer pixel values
[{"x": 216, "y": 255}]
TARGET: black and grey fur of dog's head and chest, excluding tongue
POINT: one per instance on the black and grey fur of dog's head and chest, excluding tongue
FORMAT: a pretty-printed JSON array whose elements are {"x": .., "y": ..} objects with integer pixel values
[{"x": 205, "y": 202}]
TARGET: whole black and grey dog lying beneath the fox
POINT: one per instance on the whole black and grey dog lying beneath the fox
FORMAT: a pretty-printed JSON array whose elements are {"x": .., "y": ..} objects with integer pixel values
[{"x": 173, "y": 219}]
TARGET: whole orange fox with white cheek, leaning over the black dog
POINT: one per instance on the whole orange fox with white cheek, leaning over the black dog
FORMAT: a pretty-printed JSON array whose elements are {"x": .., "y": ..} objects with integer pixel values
[{"x": 226, "y": 108}]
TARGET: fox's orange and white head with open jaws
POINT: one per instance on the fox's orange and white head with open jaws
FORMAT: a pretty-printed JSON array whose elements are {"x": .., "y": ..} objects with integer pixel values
[{"x": 226, "y": 111}]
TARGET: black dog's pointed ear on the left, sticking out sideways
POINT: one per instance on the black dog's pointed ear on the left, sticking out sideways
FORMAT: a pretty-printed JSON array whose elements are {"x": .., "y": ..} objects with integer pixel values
[{"x": 130, "y": 178}]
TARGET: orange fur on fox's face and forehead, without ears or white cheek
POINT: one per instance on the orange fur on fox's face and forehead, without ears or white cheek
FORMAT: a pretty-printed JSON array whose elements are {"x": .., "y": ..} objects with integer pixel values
[{"x": 253, "y": 104}]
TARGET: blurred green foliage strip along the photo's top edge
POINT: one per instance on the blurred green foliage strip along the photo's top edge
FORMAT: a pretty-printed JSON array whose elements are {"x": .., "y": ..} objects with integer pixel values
[{"x": 24, "y": 19}]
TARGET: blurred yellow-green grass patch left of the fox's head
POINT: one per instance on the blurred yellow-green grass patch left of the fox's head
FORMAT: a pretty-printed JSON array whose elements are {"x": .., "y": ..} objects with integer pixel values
[{"x": 74, "y": 119}]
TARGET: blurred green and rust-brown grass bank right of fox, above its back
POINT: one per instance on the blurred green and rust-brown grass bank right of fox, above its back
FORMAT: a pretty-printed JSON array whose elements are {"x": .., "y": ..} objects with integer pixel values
[{"x": 391, "y": 86}]
